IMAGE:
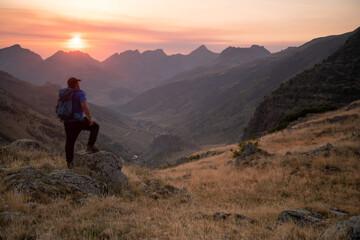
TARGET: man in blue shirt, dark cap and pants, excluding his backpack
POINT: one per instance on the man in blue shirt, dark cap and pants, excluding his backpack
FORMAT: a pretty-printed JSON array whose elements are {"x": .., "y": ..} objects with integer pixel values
[{"x": 77, "y": 123}]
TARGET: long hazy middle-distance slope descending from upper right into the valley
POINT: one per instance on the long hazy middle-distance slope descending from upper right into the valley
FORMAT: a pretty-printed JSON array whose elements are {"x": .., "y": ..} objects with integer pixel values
[{"x": 214, "y": 107}]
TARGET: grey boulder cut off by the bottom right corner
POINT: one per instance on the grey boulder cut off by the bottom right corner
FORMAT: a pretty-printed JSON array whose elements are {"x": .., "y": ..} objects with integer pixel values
[{"x": 345, "y": 230}]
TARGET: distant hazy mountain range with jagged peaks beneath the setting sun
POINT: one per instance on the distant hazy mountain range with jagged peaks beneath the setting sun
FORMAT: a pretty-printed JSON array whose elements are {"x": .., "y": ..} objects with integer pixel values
[{"x": 120, "y": 77}]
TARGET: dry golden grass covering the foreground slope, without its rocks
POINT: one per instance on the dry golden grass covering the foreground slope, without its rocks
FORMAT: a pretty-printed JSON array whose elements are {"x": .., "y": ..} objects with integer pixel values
[{"x": 260, "y": 192}]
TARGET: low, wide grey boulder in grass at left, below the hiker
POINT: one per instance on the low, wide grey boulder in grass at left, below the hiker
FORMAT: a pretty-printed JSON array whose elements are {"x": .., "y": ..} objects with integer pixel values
[{"x": 58, "y": 183}]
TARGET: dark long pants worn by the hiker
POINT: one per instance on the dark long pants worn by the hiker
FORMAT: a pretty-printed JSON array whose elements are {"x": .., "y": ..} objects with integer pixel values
[{"x": 72, "y": 130}]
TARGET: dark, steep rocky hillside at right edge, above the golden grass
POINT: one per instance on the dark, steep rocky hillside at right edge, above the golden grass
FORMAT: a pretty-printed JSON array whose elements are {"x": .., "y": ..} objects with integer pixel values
[{"x": 336, "y": 82}]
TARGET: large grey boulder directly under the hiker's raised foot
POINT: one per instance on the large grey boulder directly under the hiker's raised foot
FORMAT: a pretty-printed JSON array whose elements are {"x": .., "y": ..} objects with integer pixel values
[{"x": 104, "y": 166}]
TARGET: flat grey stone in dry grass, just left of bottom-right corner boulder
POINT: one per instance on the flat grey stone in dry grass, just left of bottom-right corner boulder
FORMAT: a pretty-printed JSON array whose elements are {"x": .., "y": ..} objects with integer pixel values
[{"x": 301, "y": 217}]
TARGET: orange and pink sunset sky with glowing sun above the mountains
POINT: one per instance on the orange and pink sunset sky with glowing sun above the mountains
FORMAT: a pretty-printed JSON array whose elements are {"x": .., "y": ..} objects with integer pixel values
[{"x": 104, "y": 27}]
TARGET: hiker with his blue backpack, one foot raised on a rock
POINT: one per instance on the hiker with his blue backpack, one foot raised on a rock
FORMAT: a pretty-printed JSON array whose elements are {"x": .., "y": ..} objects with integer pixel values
[{"x": 70, "y": 109}]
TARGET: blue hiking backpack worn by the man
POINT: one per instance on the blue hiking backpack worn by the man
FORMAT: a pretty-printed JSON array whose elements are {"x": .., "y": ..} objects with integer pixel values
[{"x": 64, "y": 108}]
